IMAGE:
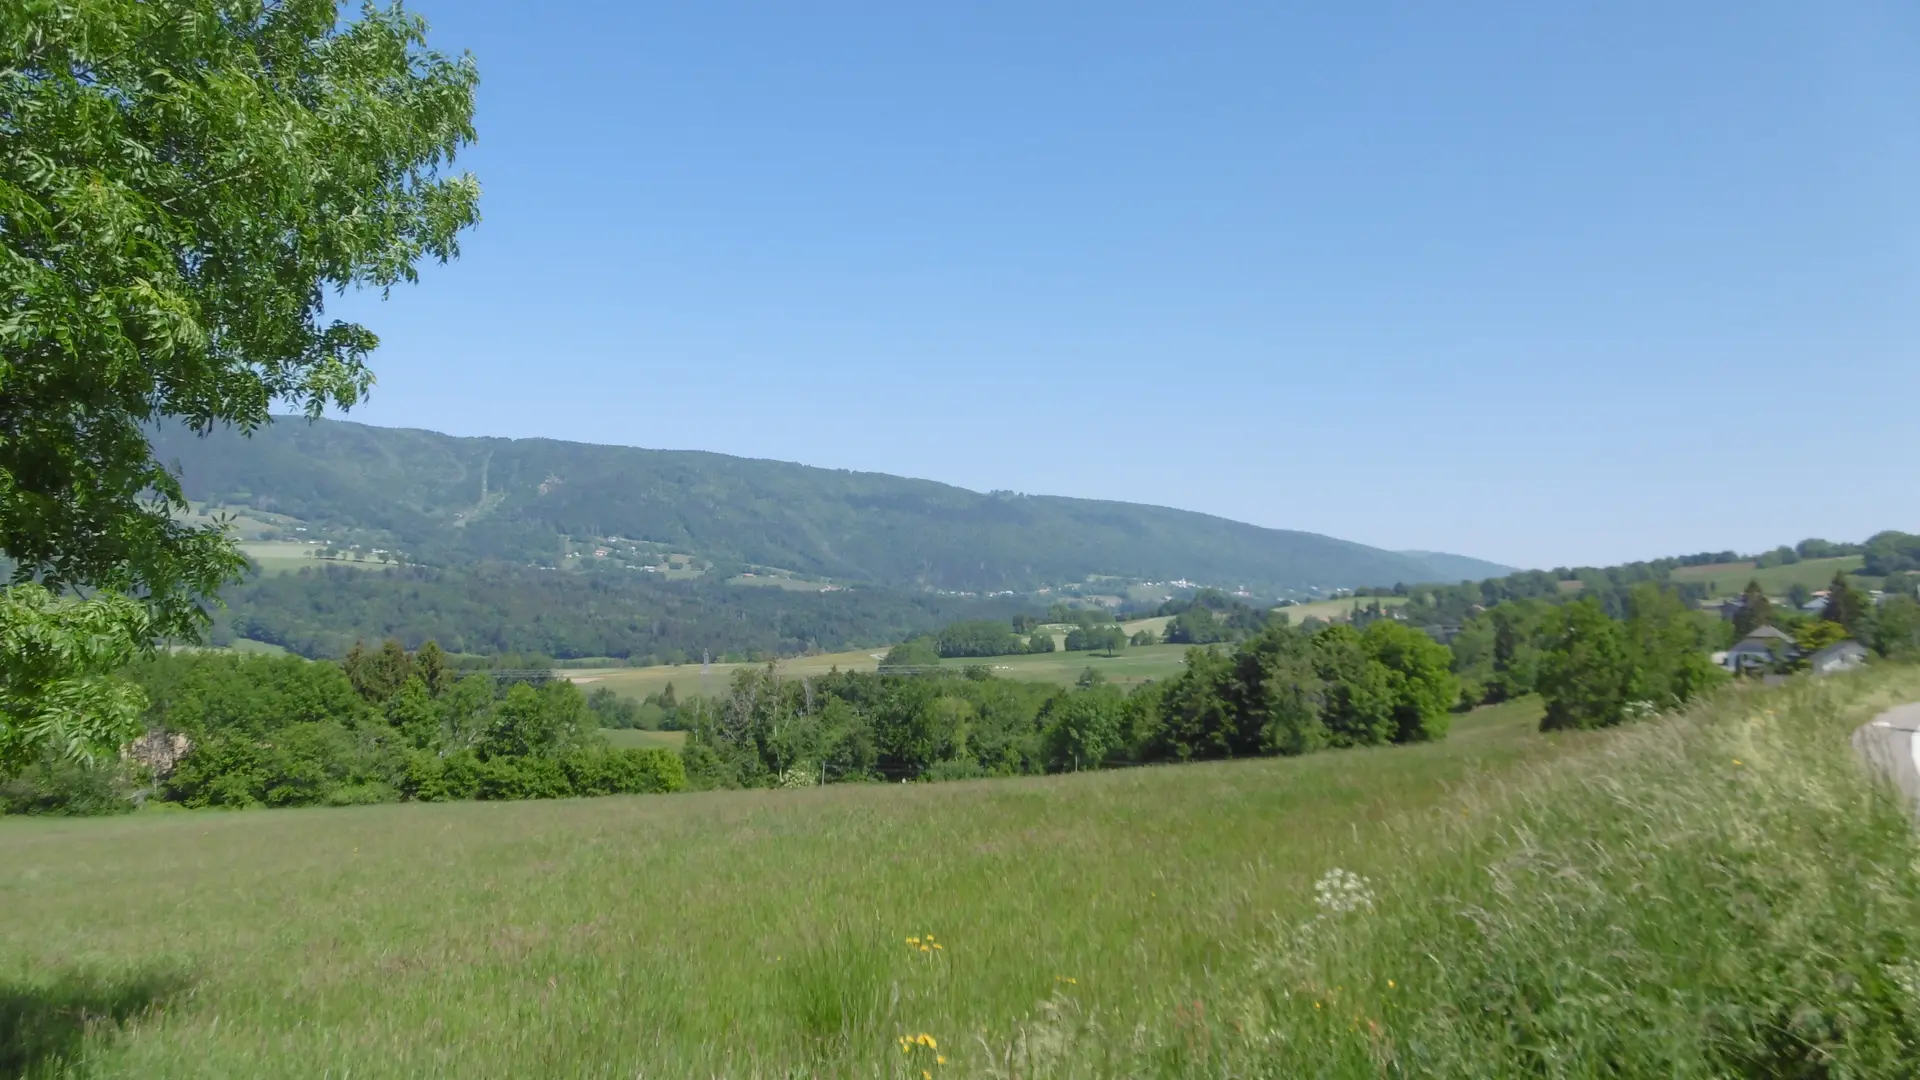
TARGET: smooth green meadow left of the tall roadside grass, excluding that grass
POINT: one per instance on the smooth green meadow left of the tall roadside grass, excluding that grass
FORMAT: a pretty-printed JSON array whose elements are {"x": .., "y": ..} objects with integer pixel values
[{"x": 734, "y": 933}]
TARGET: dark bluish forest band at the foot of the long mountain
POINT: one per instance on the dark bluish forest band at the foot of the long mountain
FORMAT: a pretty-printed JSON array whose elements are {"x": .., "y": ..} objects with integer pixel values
[{"x": 496, "y": 608}]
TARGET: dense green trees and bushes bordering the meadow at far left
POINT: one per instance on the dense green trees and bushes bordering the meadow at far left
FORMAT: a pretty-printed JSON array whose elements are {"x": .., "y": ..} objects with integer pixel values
[{"x": 228, "y": 731}]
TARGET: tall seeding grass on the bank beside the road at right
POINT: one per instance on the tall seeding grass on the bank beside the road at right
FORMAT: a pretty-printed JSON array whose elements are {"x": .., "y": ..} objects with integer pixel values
[{"x": 1716, "y": 895}]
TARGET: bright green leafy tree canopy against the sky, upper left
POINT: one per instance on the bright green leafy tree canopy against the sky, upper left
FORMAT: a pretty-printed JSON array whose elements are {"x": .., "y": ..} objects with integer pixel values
[{"x": 181, "y": 182}]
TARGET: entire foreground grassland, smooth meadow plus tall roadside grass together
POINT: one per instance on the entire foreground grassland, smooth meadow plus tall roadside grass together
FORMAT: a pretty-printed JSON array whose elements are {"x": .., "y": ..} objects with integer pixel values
[{"x": 1717, "y": 895}]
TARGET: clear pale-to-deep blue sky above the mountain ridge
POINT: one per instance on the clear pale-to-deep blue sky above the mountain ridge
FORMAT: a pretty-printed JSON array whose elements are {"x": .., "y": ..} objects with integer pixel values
[{"x": 1543, "y": 283}]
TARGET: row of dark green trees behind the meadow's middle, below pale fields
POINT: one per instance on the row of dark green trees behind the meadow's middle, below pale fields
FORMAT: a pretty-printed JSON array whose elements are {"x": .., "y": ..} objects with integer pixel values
[{"x": 1285, "y": 691}]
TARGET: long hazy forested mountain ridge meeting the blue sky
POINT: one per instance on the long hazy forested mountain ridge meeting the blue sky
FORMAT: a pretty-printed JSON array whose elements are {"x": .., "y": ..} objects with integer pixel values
[{"x": 450, "y": 501}]
